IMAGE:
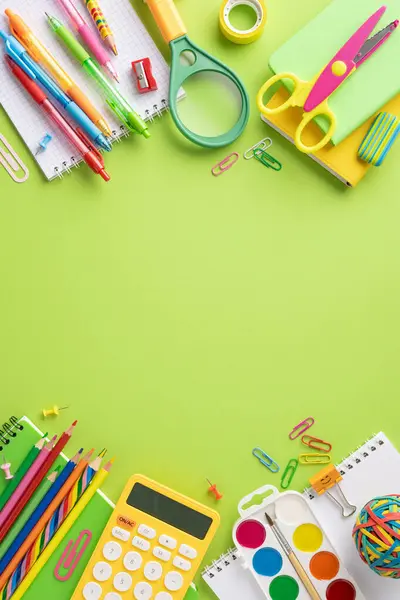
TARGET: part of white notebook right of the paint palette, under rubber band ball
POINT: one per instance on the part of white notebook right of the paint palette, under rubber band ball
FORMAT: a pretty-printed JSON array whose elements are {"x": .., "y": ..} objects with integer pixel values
[{"x": 373, "y": 470}]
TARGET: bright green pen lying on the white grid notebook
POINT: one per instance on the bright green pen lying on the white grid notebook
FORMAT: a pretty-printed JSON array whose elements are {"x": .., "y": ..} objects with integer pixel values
[{"x": 115, "y": 100}]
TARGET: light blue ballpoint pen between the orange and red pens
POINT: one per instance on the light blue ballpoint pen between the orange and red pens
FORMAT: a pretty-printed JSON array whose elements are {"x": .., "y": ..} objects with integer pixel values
[{"x": 20, "y": 56}]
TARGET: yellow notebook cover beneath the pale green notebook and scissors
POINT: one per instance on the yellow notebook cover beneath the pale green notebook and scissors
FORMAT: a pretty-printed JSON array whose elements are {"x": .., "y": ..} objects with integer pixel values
[{"x": 342, "y": 161}]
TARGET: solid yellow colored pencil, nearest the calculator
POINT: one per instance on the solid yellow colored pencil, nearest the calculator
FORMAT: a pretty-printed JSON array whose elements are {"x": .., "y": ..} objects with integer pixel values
[{"x": 62, "y": 532}]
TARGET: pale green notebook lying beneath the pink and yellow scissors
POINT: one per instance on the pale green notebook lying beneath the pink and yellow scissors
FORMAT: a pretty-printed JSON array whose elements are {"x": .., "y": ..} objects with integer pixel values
[{"x": 371, "y": 86}]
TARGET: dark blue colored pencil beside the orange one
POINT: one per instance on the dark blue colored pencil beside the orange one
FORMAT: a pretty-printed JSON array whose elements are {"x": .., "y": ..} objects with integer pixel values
[{"x": 38, "y": 512}]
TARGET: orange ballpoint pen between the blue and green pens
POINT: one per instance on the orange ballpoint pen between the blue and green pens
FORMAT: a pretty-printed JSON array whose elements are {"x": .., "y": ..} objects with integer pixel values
[{"x": 39, "y": 53}]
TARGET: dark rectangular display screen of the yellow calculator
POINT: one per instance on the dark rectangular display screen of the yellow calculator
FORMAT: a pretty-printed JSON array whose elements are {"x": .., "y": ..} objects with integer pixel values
[{"x": 170, "y": 511}]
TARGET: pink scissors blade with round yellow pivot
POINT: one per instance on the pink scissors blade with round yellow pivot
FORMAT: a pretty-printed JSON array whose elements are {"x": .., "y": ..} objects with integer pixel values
[{"x": 328, "y": 81}]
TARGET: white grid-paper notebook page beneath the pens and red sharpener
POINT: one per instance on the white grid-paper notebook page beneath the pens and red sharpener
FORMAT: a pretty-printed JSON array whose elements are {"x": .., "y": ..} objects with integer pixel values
[{"x": 133, "y": 42}]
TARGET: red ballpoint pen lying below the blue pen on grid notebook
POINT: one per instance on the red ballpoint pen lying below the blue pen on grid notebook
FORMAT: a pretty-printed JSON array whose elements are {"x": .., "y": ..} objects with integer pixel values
[{"x": 89, "y": 153}]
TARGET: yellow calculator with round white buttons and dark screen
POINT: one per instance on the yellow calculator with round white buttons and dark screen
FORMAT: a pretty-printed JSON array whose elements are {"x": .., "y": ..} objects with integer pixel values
[{"x": 151, "y": 547}]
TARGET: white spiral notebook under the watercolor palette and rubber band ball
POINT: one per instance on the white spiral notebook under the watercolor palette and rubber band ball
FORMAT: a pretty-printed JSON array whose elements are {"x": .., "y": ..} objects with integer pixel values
[{"x": 372, "y": 470}]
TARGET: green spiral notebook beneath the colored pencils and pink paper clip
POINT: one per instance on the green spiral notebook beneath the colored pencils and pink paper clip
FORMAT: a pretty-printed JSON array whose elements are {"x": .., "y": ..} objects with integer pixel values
[{"x": 94, "y": 518}]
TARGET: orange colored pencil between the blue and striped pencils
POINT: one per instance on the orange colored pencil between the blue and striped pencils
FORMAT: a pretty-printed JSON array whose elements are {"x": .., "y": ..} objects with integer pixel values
[{"x": 76, "y": 473}]
